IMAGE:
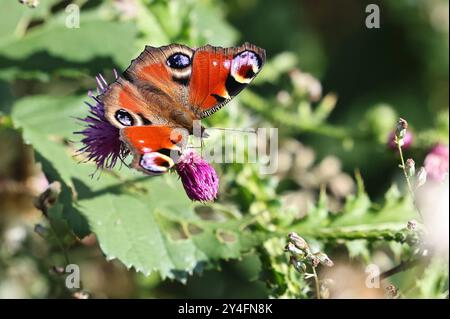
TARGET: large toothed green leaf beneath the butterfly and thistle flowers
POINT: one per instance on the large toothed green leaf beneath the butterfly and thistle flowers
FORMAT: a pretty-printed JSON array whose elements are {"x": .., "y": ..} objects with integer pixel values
[{"x": 147, "y": 223}]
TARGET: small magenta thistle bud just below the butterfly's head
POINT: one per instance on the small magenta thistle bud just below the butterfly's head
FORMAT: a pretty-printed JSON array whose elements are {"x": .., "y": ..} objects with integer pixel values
[{"x": 199, "y": 179}]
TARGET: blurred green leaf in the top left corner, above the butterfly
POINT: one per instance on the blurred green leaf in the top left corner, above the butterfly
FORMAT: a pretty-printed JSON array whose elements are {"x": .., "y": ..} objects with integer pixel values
[{"x": 51, "y": 47}]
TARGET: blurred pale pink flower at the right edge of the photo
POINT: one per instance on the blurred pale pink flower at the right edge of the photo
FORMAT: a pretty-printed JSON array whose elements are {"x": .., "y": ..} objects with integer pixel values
[{"x": 436, "y": 163}]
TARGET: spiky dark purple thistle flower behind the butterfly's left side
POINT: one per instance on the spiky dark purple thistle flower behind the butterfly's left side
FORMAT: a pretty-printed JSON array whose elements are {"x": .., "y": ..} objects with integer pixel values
[{"x": 101, "y": 139}]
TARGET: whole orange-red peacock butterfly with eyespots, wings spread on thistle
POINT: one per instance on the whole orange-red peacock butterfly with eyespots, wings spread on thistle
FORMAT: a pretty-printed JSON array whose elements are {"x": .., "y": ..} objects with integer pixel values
[{"x": 166, "y": 89}]
